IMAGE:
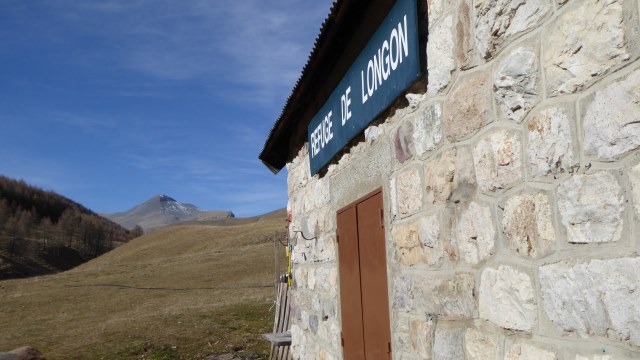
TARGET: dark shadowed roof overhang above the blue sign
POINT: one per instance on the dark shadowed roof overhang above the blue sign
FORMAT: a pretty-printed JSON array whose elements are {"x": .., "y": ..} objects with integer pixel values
[{"x": 343, "y": 35}]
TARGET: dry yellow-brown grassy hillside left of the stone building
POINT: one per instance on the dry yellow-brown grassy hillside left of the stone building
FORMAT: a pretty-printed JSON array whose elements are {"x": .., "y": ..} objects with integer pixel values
[{"x": 182, "y": 292}]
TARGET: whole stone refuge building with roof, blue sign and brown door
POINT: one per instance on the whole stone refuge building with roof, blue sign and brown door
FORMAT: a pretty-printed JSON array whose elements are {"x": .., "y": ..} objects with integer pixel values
[{"x": 502, "y": 179}]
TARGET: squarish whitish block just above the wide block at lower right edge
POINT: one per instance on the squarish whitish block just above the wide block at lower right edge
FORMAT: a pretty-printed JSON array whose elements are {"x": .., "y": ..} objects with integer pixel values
[{"x": 591, "y": 208}]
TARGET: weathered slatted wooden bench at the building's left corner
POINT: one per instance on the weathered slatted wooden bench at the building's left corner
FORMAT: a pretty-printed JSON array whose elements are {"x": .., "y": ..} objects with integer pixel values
[{"x": 280, "y": 338}]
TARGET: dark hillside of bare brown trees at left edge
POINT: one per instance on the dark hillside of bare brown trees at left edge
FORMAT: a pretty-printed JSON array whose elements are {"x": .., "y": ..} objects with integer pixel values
[{"x": 34, "y": 221}]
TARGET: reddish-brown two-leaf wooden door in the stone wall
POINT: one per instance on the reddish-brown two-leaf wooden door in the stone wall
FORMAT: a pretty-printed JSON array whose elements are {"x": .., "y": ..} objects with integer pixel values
[{"x": 363, "y": 280}]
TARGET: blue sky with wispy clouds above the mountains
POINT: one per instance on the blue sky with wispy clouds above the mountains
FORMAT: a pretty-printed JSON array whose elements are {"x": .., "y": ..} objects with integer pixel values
[{"x": 111, "y": 102}]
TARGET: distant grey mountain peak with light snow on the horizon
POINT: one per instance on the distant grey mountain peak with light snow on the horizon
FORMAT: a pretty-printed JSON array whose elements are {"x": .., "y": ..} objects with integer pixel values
[{"x": 163, "y": 210}]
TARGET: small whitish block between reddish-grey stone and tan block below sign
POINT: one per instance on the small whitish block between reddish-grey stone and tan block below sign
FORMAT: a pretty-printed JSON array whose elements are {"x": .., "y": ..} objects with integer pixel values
[{"x": 427, "y": 135}]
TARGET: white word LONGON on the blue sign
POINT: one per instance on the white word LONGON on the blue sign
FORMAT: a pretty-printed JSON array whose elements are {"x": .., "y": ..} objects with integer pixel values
[{"x": 387, "y": 59}]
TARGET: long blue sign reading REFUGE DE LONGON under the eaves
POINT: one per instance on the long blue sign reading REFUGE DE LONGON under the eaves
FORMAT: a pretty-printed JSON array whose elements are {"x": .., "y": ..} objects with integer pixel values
[{"x": 388, "y": 64}]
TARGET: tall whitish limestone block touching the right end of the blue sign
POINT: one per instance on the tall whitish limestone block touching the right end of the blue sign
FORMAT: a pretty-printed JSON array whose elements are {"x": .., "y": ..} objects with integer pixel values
[{"x": 440, "y": 57}]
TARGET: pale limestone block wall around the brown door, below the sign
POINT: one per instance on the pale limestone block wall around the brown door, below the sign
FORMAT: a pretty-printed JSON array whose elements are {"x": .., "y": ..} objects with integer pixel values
[{"x": 511, "y": 188}]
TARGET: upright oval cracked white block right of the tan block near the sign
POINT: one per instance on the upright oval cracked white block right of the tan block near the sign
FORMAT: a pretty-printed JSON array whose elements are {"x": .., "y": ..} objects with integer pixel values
[{"x": 516, "y": 84}]
